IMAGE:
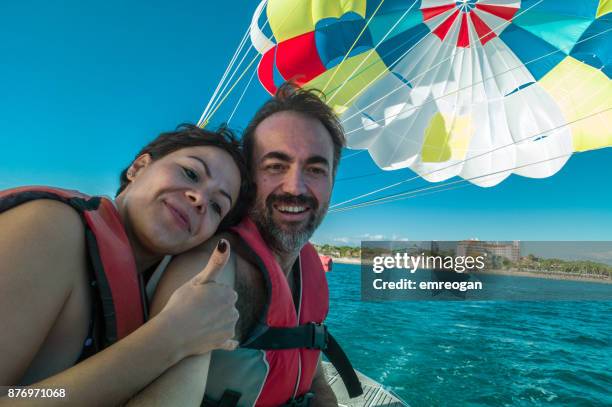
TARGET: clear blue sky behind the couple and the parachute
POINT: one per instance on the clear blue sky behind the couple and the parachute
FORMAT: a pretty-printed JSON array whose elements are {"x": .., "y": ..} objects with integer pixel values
[{"x": 85, "y": 85}]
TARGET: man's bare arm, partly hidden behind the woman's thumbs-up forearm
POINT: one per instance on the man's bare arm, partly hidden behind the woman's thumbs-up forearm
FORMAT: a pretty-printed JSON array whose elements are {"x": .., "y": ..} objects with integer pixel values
[{"x": 184, "y": 383}]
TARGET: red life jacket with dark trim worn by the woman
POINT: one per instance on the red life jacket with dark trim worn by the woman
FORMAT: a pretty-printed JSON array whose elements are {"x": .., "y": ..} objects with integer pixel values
[{"x": 112, "y": 260}]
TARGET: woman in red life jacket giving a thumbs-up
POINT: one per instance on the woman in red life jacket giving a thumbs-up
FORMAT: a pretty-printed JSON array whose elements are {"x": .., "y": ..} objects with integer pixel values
[{"x": 68, "y": 288}]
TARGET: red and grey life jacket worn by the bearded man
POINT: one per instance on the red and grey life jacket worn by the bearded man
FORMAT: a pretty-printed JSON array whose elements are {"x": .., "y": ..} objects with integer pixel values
[{"x": 277, "y": 363}]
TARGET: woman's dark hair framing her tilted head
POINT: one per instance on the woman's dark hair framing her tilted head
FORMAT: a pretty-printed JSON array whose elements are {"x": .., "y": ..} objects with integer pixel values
[{"x": 189, "y": 135}]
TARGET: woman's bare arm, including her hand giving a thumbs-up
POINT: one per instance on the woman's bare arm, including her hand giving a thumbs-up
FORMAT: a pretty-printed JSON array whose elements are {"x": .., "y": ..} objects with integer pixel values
[{"x": 36, "y": 235}]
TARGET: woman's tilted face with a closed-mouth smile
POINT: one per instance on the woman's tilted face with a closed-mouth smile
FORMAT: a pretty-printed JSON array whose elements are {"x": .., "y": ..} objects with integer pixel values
[{"x": 177, "y": 202}]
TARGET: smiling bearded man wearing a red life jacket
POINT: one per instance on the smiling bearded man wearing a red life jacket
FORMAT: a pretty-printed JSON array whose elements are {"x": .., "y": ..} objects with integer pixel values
[{"x": 292, "y": 146}]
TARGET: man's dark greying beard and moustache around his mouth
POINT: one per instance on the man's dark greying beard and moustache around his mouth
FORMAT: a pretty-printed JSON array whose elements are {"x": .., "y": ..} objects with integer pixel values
[{"x": 287, "y": 238}]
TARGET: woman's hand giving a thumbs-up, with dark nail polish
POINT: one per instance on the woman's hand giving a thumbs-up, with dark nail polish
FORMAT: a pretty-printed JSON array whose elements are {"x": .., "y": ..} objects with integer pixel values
[{"x": 201, "y": 313}]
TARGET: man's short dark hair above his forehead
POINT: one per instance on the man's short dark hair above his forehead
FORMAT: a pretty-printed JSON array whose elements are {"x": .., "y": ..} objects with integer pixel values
[{"x": 290, "y": 97}]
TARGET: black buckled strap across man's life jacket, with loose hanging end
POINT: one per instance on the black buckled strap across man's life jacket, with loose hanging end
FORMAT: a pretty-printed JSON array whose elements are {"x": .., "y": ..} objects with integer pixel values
[{"x": 310, "y": 336}]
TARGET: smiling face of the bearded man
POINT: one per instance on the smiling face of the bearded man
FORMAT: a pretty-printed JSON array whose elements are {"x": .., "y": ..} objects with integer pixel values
[{"x": 292, "y": 159}]
